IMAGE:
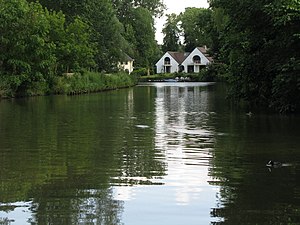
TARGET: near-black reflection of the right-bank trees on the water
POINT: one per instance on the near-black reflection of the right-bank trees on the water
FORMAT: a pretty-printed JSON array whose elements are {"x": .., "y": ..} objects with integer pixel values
[{"x": 249, "y": 193}]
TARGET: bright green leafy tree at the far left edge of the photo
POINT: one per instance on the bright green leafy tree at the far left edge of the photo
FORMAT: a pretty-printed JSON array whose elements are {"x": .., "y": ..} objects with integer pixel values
[{"x": 26, "y": 54}]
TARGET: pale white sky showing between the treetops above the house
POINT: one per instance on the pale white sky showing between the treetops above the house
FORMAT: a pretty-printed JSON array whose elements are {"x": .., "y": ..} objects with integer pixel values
[{"x": 176, "y": 6}]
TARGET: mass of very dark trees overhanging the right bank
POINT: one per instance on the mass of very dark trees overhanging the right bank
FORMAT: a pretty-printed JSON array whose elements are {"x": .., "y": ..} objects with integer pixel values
[{"x": 259, "y": 43}]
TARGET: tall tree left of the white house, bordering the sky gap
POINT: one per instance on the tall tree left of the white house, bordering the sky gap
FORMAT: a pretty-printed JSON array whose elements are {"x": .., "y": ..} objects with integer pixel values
[{"x": 137, "y": 18}]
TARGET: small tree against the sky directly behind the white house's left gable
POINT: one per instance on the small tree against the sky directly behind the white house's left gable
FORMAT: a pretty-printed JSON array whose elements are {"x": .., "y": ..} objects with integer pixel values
[{"x": 171, "y": 31}]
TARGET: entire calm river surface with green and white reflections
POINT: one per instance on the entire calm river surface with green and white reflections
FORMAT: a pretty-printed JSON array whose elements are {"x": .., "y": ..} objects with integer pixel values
[{"x": 157, "y": 154}]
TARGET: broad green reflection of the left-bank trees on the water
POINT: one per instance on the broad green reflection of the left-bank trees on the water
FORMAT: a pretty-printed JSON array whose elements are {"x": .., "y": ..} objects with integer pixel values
[{"x": 63, "y": 153}]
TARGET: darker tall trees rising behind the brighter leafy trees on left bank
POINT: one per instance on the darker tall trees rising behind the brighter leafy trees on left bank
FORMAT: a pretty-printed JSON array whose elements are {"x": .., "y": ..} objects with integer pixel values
[{"x": 115, "y": 28}]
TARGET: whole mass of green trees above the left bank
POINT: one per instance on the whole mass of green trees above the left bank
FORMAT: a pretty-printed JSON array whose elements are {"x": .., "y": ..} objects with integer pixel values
[{"x": 42, "y": 40}]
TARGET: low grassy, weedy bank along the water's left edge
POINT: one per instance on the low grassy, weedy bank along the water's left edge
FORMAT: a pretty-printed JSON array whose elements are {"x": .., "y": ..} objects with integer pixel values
[{"x": 70, "y": 84}]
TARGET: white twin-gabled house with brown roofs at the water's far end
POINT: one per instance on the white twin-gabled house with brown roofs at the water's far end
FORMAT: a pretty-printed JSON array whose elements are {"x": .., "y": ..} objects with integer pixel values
[{"x": 172, "y": 62}]
